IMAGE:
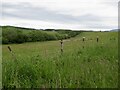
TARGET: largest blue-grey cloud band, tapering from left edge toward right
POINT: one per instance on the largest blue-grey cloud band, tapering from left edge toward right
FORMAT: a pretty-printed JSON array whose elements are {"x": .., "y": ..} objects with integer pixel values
[{"x": 27, "y": 11}]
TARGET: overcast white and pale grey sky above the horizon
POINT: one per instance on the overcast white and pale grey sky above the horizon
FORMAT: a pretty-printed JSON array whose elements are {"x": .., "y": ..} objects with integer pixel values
[{"x": 60, "y": 14}]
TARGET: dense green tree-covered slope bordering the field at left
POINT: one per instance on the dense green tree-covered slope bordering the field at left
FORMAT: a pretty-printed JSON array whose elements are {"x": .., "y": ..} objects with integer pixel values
[{"x": 11, "y": 34}]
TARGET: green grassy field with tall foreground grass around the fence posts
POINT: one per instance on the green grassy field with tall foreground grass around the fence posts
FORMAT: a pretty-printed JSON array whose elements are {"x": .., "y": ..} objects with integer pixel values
[{"x": 41, "y": 64}]
